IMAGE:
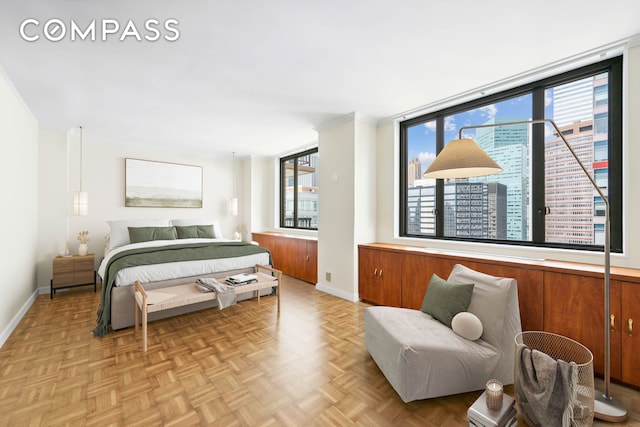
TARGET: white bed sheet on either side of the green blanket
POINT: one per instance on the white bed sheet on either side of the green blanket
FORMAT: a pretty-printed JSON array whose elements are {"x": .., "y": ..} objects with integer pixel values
[{"x": 174, "y": 270}]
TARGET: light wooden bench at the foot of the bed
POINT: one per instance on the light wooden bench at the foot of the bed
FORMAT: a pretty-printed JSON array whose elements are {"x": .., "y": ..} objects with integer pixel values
[{"x": 181, "y": 295}]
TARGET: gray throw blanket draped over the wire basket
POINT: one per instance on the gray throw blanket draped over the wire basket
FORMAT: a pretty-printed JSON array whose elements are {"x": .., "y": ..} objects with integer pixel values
[{"x": 545, "y": 387}]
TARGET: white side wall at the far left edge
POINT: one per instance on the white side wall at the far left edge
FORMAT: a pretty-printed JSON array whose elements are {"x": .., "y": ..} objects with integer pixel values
[{"x": 19, "y": 212}]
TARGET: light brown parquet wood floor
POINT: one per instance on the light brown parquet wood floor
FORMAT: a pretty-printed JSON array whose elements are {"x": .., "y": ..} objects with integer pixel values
[{"x": 242, "y": 366}]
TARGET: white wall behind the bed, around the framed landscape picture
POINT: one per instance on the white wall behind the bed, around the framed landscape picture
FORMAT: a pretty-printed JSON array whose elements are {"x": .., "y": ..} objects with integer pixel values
[{"x": 104, "y": 180}]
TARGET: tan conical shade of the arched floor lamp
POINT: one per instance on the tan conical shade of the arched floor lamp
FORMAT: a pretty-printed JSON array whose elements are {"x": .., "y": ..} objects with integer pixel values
[{"x": 462, "y": 158}]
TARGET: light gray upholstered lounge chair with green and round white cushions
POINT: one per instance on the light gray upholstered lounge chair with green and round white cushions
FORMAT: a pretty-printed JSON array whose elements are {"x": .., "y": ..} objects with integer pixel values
[{"x": 422, "y": 357}]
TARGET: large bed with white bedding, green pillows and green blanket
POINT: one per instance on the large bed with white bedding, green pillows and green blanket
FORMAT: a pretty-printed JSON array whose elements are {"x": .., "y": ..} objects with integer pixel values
[{"x": 162, "y": 253}]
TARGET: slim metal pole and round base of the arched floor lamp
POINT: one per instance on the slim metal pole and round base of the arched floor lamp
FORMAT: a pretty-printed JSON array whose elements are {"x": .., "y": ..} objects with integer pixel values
[{"x": 606, "y": 408}]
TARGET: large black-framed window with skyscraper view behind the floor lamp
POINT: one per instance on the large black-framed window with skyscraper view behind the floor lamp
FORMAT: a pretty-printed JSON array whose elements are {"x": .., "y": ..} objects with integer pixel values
[{"x": 542, "y": 197}]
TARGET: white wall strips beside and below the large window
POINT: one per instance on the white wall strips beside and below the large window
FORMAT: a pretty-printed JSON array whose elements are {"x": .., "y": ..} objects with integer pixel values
[{"x": 387, "y": 190}]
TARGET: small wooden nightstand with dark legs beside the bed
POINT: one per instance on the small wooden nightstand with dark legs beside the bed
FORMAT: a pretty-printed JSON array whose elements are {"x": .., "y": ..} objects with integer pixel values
[{"x": 74, "y": 270}]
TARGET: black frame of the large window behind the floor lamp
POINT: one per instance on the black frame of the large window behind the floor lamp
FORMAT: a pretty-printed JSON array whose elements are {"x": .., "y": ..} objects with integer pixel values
[{"x": 537, "y": 88}]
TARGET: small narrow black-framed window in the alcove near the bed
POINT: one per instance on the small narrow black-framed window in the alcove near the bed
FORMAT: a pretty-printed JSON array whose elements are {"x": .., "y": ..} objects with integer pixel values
[{"x": 299, "y": 190}]
